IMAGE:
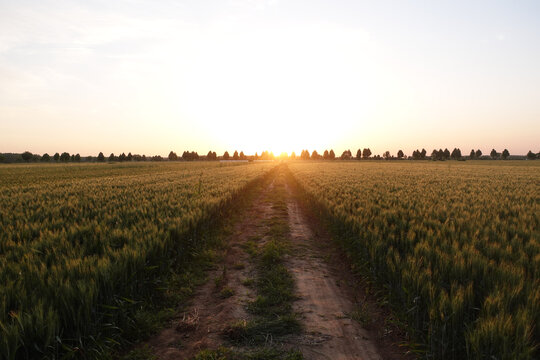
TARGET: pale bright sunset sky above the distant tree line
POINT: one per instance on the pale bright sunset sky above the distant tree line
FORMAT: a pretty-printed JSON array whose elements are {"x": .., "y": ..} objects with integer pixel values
[{"x": 149, "y": 77}]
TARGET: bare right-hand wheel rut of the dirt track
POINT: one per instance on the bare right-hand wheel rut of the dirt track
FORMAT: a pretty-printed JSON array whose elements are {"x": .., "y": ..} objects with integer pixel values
[{"x": 330, "y": 333}]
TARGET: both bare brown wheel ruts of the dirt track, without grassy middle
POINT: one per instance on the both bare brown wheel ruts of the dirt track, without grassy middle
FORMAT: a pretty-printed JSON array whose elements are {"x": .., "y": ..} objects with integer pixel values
[{"x": 325, "y": 301}]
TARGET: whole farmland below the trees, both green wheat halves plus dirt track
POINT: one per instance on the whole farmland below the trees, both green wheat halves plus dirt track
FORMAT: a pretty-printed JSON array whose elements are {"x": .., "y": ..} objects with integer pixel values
[{"x": 452, "y": 247}]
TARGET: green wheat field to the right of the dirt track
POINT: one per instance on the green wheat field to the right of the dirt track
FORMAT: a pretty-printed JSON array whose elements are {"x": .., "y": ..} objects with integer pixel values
[{"x": 455, "y": 245}]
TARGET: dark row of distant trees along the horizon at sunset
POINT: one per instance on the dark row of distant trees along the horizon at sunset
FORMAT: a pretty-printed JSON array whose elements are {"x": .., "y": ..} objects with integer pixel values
[{"x": 361, "y": 154}]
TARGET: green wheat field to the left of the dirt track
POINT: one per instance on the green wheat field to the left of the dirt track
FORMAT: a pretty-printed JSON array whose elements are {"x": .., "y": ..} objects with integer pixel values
[{"x": 81, "y": 245}]
